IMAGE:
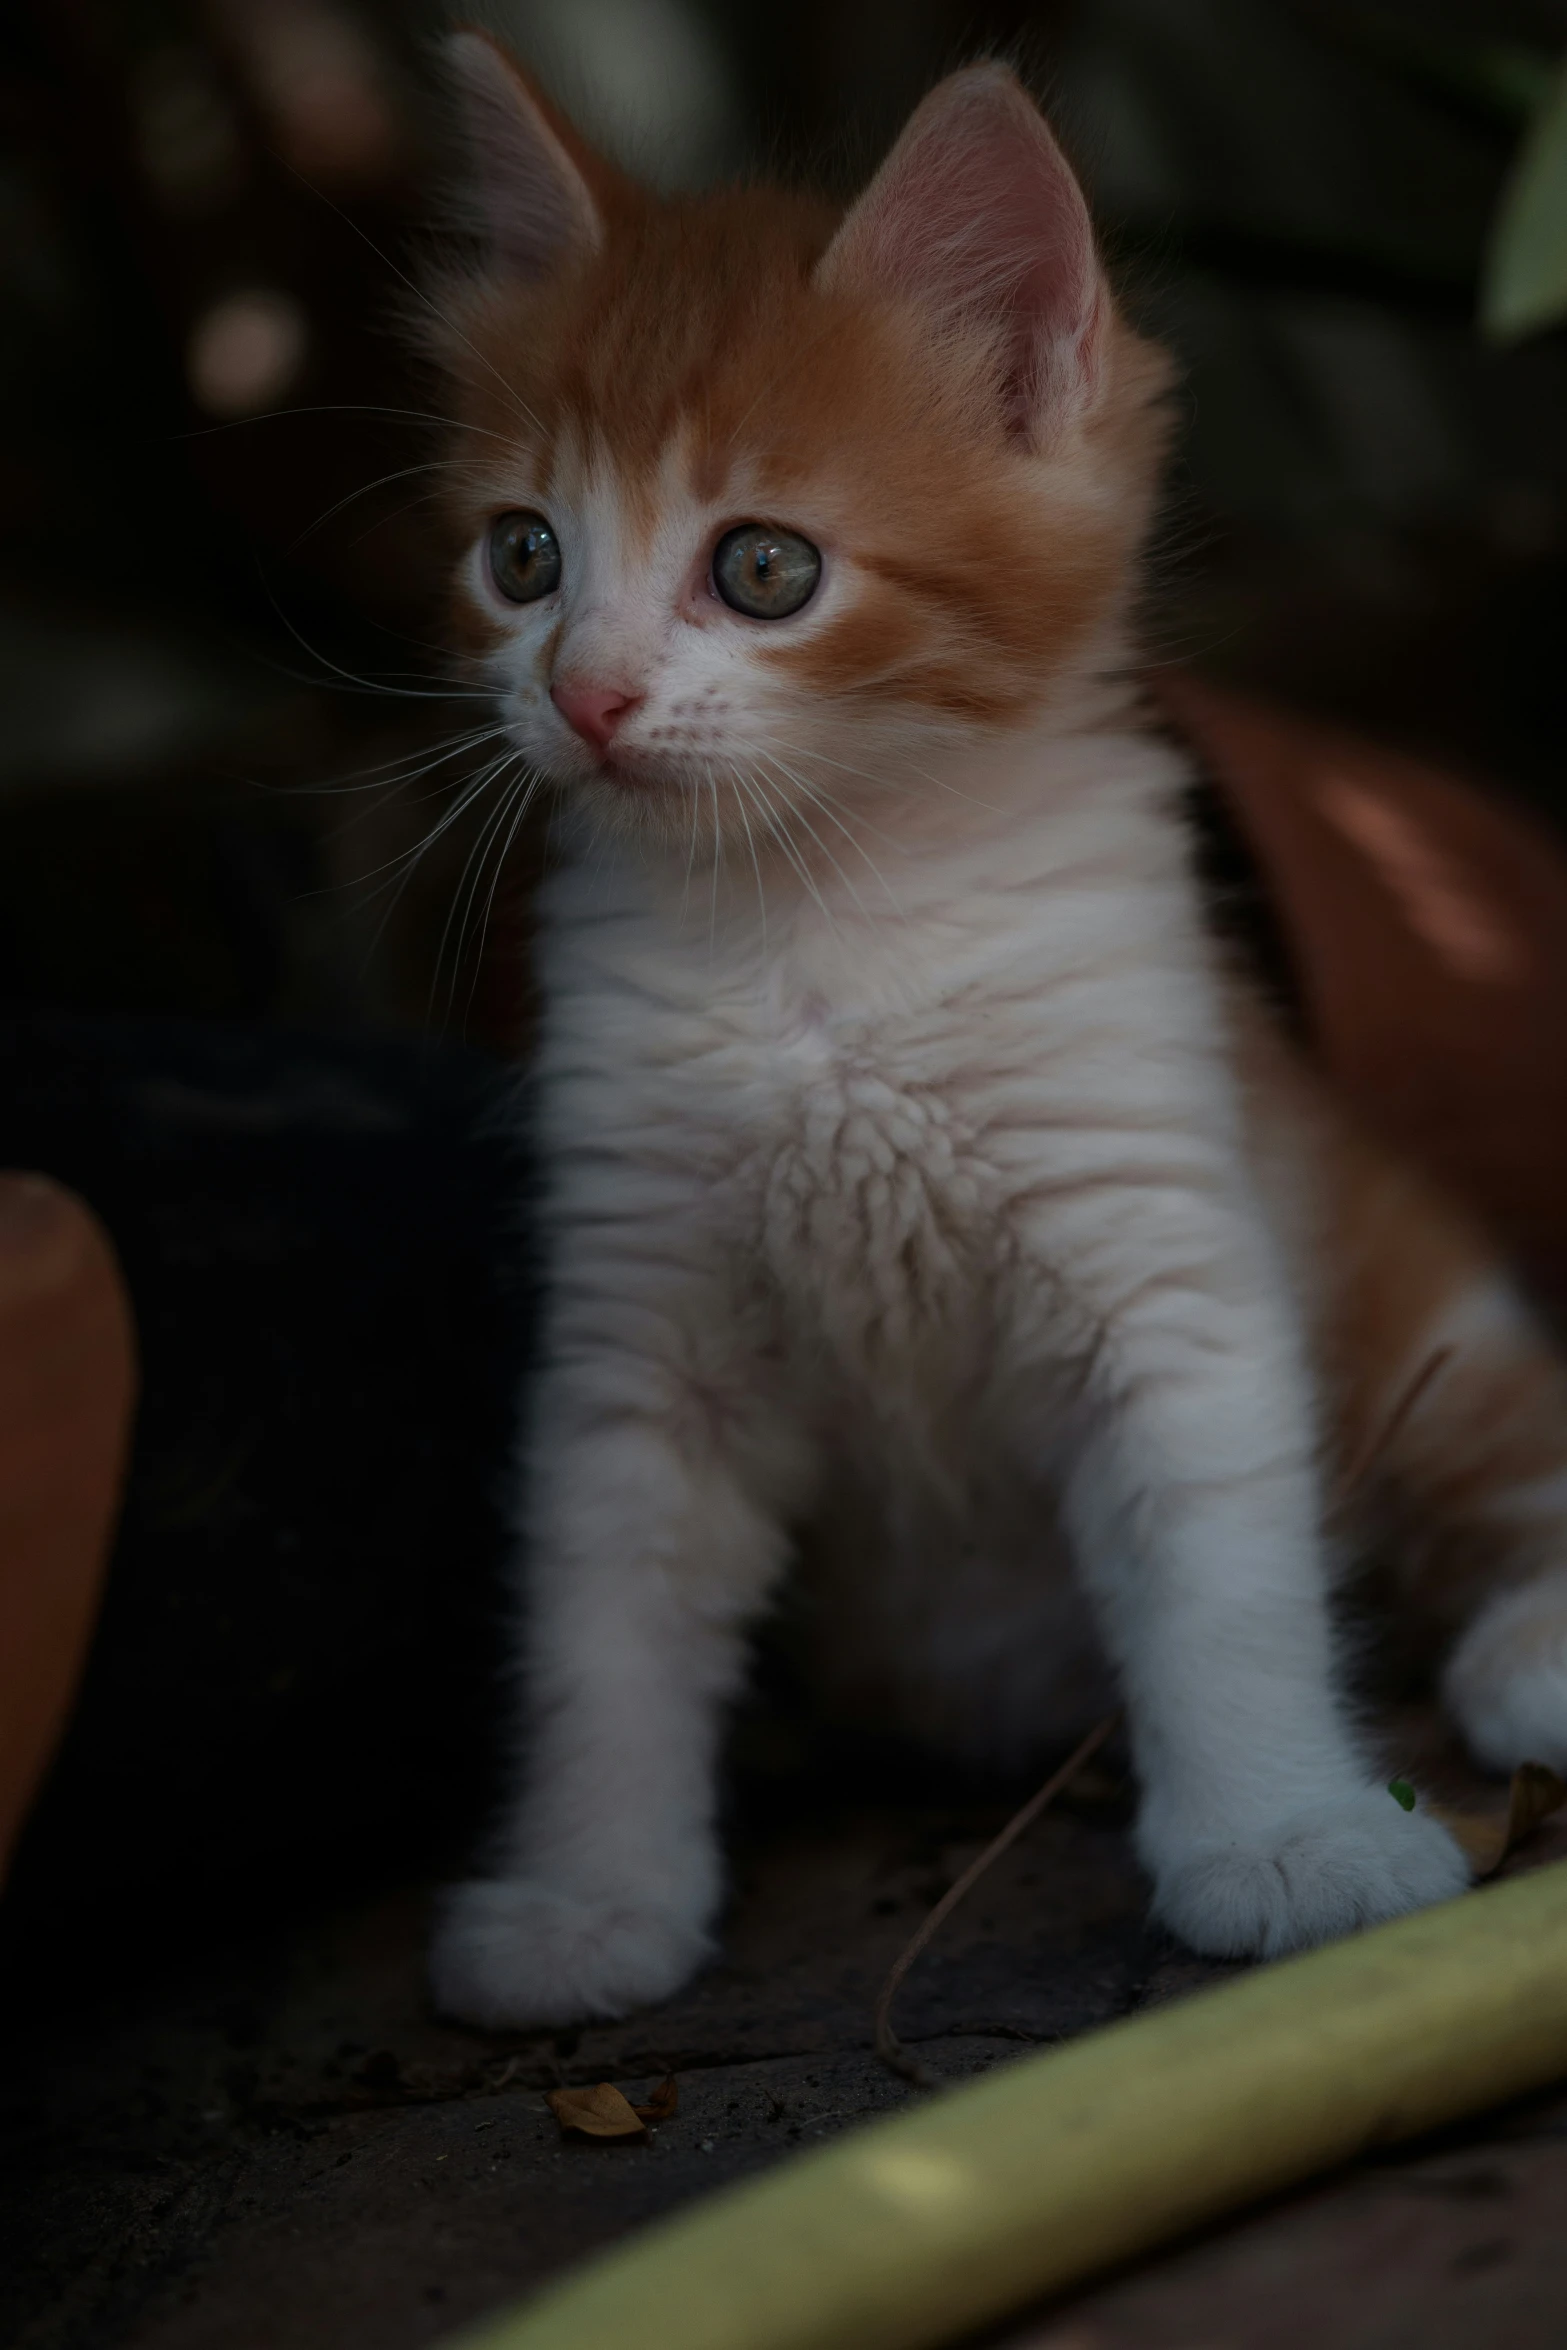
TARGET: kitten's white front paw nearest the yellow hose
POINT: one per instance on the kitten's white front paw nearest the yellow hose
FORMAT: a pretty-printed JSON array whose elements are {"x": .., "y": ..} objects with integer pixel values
[{"x": 1317, "y": 1876}]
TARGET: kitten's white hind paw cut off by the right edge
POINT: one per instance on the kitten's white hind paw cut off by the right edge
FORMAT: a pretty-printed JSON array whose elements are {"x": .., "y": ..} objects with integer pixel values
[{"x": 1507, "y": 1681}]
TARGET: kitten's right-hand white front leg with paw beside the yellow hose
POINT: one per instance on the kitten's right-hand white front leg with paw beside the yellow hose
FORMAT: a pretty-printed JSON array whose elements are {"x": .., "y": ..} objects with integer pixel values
[{"x": 1195, "y": 1515}]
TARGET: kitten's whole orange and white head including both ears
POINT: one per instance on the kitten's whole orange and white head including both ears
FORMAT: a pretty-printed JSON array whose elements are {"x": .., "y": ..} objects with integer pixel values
[{"x": 772, "y": 513}]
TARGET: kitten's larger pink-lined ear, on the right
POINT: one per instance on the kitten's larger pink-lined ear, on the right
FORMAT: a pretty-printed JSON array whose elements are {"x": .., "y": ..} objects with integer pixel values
[{"x": 978, "y": 217}]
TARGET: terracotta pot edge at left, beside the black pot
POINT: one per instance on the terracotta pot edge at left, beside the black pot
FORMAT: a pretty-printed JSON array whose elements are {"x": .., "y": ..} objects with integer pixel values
[{"x": 67, "y": 1397}]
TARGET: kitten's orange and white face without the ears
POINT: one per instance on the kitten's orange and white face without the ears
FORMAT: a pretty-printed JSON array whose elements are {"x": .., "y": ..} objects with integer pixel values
[{"x": 751, "y": 546}]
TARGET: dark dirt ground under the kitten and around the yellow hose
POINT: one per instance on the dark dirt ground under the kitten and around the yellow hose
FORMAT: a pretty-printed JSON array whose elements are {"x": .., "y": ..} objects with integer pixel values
[{"x": 276, "y": 2144}]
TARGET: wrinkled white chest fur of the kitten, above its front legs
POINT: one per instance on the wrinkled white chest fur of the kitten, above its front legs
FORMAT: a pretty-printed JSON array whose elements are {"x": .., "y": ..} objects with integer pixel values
[{"x": 861, "y": 1110}]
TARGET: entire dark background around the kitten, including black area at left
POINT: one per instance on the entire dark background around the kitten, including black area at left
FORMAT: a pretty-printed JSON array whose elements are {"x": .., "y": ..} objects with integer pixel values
[{"x": 241, "y": 1005}]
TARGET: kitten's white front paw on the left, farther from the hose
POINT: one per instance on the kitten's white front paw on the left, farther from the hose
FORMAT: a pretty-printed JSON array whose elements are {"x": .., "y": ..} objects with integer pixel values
[{"x": 513, "y": 1952}]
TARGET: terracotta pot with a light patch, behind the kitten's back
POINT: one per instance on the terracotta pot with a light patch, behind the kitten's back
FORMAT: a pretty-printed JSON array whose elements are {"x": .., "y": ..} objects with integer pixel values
[{"x": 1427, "y": 922}]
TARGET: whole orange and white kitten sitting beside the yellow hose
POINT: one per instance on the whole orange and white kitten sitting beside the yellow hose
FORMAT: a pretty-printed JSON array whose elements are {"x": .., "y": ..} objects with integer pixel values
[{"x": 922, "y": 1200}]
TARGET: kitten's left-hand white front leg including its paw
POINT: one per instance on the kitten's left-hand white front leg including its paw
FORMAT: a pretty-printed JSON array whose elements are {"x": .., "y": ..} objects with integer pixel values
[{"x": 647, "y": 1555}]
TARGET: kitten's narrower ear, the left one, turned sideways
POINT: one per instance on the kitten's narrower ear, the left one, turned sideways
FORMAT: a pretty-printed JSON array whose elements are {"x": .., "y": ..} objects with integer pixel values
[{"x": 527, "y": 168}]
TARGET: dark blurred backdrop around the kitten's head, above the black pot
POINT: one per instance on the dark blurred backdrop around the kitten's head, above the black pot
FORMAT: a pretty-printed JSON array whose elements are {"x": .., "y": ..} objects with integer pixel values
[{"x": 220, "y": 586}]
